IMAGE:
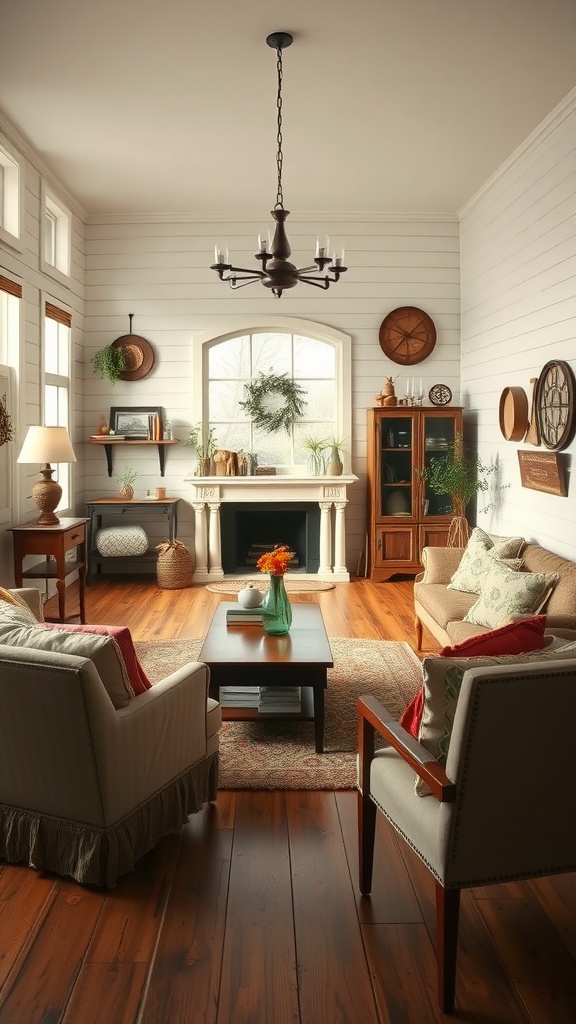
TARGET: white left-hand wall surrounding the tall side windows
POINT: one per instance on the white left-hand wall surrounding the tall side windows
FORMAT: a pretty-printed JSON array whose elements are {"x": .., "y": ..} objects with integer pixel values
[{"x": 24, "y": 267}]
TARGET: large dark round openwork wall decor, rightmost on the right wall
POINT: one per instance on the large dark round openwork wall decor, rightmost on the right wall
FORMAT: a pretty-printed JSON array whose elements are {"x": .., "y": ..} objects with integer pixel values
[{"x": 555, "y": 405}]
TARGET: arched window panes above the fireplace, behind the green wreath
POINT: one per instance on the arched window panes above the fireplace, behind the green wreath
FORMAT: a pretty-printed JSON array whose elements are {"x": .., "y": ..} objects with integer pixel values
[{"x": 232, "y": 363}]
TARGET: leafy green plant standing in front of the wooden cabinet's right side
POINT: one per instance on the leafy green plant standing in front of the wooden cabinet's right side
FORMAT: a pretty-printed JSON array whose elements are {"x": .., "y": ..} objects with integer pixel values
[{"x": 462, "y": 475}]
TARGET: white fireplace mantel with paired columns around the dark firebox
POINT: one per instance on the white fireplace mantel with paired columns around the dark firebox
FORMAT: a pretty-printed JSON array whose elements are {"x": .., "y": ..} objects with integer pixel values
[{"x": 330, "y": 492}]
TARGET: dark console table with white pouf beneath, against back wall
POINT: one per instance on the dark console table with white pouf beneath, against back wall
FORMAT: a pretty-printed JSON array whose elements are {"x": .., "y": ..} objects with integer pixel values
[{"x": 101, "y": 508}]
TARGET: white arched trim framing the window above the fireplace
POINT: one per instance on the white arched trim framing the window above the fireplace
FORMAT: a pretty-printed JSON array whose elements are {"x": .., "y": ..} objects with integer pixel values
[{"x": 279, "y": 325}]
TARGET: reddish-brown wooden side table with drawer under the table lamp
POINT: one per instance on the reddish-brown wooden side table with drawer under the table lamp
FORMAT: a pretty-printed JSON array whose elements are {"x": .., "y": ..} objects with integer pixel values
[{"x": 54, "y": 542}]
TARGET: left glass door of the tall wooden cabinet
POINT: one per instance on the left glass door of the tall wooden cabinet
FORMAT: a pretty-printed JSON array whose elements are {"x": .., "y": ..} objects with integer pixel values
[{"x": 398, "y": 487}]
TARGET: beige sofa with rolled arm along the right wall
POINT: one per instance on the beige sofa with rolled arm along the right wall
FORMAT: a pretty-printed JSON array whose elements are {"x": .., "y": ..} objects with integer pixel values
[{"x": 442, "y": 611}]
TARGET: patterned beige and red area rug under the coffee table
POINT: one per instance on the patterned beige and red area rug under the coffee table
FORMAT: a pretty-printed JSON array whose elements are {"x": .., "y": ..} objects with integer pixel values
[{"x": 280, "y": 755}]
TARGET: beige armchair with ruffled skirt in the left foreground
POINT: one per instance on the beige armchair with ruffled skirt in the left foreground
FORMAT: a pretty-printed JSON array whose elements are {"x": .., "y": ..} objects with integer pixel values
[{"x": 88, "y": 788}]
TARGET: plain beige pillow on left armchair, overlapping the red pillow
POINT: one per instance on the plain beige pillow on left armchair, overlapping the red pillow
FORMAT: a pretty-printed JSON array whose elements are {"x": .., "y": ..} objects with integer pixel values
[{"x": 104, "y": 652}]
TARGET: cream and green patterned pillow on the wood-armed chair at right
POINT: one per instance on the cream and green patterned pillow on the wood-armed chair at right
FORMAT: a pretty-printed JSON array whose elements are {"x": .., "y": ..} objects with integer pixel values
[{"x": 442, "y": 681}]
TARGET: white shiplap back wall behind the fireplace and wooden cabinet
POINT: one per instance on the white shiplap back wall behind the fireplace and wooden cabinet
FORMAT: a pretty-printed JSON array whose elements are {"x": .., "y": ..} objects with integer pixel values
[{"x": 158, "y": 270}]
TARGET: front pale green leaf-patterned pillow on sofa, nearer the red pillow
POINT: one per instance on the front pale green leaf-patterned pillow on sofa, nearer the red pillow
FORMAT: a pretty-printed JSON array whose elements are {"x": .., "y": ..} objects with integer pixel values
[{"x": 505, "y": 593}]
